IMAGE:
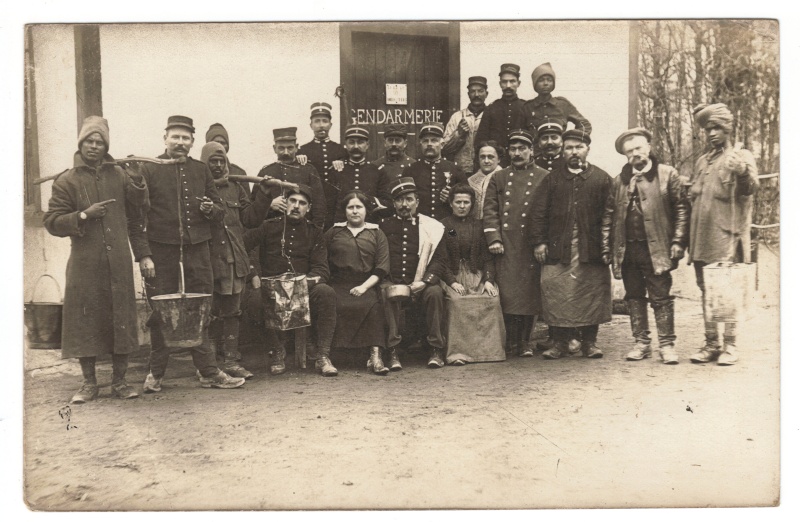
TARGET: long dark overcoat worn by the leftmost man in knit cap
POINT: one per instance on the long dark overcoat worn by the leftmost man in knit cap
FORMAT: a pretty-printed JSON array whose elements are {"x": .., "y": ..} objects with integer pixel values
[{"x": 99, "y": 299}]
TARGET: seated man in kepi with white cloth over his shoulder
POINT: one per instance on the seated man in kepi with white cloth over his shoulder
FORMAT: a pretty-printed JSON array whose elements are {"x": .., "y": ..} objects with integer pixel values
[{"x": 417, "y": 259}]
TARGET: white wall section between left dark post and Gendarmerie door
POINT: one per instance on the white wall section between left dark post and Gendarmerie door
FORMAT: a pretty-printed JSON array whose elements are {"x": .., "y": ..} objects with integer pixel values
[{"x": 252, "y": 78}]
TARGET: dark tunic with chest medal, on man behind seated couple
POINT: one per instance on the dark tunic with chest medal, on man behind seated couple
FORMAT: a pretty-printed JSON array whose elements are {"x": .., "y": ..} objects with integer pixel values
[{"x": 431, "y": 177}]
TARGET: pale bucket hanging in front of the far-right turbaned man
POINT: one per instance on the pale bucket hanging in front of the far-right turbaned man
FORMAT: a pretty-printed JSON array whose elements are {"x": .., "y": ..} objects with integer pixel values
[{"x": 730, "y": 289}]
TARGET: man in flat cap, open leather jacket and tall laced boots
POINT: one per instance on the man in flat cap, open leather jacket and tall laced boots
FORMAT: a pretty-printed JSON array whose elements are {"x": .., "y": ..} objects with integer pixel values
[{"x": 645, "y": 232}]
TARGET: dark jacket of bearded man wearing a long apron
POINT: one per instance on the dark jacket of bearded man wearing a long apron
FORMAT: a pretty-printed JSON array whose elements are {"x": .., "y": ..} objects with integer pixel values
[{"x": 564, "y": 198}]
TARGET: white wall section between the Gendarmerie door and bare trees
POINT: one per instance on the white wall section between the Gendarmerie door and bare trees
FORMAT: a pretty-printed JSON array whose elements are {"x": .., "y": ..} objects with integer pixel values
[{"x": 590, "y": 60}]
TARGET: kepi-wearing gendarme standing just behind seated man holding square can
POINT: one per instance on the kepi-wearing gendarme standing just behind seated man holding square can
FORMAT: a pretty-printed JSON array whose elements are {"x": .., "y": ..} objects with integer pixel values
[{"x": 288, "y": 169}]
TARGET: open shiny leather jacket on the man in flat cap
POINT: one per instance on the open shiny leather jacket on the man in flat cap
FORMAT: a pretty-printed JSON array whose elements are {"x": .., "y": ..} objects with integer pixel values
[{"x": 665, "y": 208}]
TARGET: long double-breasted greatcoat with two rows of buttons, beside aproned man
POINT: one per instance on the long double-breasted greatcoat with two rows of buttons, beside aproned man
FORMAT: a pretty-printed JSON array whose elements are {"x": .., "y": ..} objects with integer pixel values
[{"x": 507, "y": 218}]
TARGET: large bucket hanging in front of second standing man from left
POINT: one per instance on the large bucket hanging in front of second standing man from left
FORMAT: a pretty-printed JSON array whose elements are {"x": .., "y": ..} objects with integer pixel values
[{"x": 182, "y": 317}]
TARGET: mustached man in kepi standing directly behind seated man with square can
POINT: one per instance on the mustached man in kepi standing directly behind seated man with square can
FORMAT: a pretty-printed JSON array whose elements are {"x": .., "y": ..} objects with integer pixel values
[{"x": 288, "y": 169}]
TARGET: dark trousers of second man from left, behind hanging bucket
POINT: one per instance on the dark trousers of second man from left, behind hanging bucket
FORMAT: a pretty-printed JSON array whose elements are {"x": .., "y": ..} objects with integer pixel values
[{"x": 198, "y": 278}]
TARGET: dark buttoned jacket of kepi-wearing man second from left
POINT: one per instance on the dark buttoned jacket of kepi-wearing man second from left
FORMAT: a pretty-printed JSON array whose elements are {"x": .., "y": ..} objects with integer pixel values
[{"x": 193, "y": 180}]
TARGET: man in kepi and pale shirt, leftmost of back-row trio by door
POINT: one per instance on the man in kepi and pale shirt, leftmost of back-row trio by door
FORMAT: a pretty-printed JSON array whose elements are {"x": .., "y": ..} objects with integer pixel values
[{"x": 459, "y": 134}]
